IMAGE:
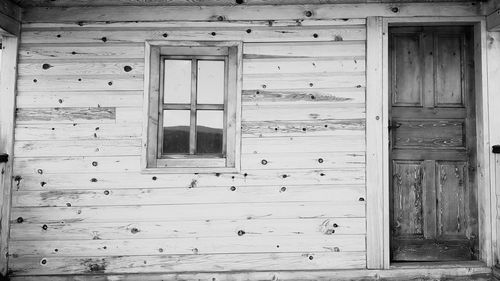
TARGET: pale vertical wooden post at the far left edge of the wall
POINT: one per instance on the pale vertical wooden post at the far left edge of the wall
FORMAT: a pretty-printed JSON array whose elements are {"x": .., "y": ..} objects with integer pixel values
[{"x": 8, "y": 73}]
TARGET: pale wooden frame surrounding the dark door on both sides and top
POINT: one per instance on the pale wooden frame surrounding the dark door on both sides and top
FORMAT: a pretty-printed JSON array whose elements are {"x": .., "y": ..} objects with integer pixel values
[{"x": 377, "y": 135}]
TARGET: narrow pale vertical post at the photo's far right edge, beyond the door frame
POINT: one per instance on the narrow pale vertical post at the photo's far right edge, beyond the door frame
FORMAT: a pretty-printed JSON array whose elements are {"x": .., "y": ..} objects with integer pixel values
[{"x": 493, "y": 58}]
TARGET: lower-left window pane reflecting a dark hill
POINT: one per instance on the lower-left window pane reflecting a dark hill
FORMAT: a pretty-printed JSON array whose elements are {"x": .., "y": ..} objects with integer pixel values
[{"x": 176, "y": 131}]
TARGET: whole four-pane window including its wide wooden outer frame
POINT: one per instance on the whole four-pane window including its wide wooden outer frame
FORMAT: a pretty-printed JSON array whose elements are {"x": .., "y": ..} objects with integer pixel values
[{"x": 193, "y": 106}]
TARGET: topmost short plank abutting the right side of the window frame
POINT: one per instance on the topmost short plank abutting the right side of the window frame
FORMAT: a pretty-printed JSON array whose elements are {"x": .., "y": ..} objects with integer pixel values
[{"x": 342, "y": 49}]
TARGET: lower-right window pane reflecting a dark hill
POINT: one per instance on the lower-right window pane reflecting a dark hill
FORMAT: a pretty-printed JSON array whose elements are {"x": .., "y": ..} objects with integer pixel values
[{"x": 209, "y": 131}]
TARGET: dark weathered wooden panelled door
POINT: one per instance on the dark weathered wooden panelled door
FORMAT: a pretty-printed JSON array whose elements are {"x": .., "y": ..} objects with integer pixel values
[{"x": 433, "y": 193}]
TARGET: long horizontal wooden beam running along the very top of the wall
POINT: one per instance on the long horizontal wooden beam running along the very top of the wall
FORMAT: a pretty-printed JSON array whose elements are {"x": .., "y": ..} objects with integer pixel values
[{"x": 244, "y": 12}]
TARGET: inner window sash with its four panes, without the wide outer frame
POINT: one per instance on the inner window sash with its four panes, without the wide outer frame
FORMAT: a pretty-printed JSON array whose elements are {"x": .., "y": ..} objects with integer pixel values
[{"x": 202, "y": 95}]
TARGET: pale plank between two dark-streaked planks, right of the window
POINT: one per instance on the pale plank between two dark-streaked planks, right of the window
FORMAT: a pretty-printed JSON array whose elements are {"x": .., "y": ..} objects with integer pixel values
[{"x": 303, "y": 112}]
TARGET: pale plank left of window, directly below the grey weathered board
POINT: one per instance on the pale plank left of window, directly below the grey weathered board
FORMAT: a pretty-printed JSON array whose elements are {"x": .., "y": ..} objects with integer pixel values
[{"x": 77, "y": 132}]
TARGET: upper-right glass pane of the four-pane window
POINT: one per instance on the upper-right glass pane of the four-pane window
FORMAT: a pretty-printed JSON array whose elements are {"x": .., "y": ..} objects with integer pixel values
[{"x": 210, "y": 82}]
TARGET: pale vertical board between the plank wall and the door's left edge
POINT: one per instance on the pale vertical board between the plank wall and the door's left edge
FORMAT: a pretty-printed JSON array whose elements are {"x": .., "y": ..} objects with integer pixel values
[{"x": 374, "y": 146}]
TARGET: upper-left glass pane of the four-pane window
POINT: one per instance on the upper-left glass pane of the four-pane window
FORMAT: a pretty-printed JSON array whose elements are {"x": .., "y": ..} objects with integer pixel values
[{"x": 177, "y": 83}]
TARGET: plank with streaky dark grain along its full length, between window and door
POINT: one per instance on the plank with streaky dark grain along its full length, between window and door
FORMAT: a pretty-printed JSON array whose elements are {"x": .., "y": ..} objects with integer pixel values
[{"x": 302, "y": 128}]
